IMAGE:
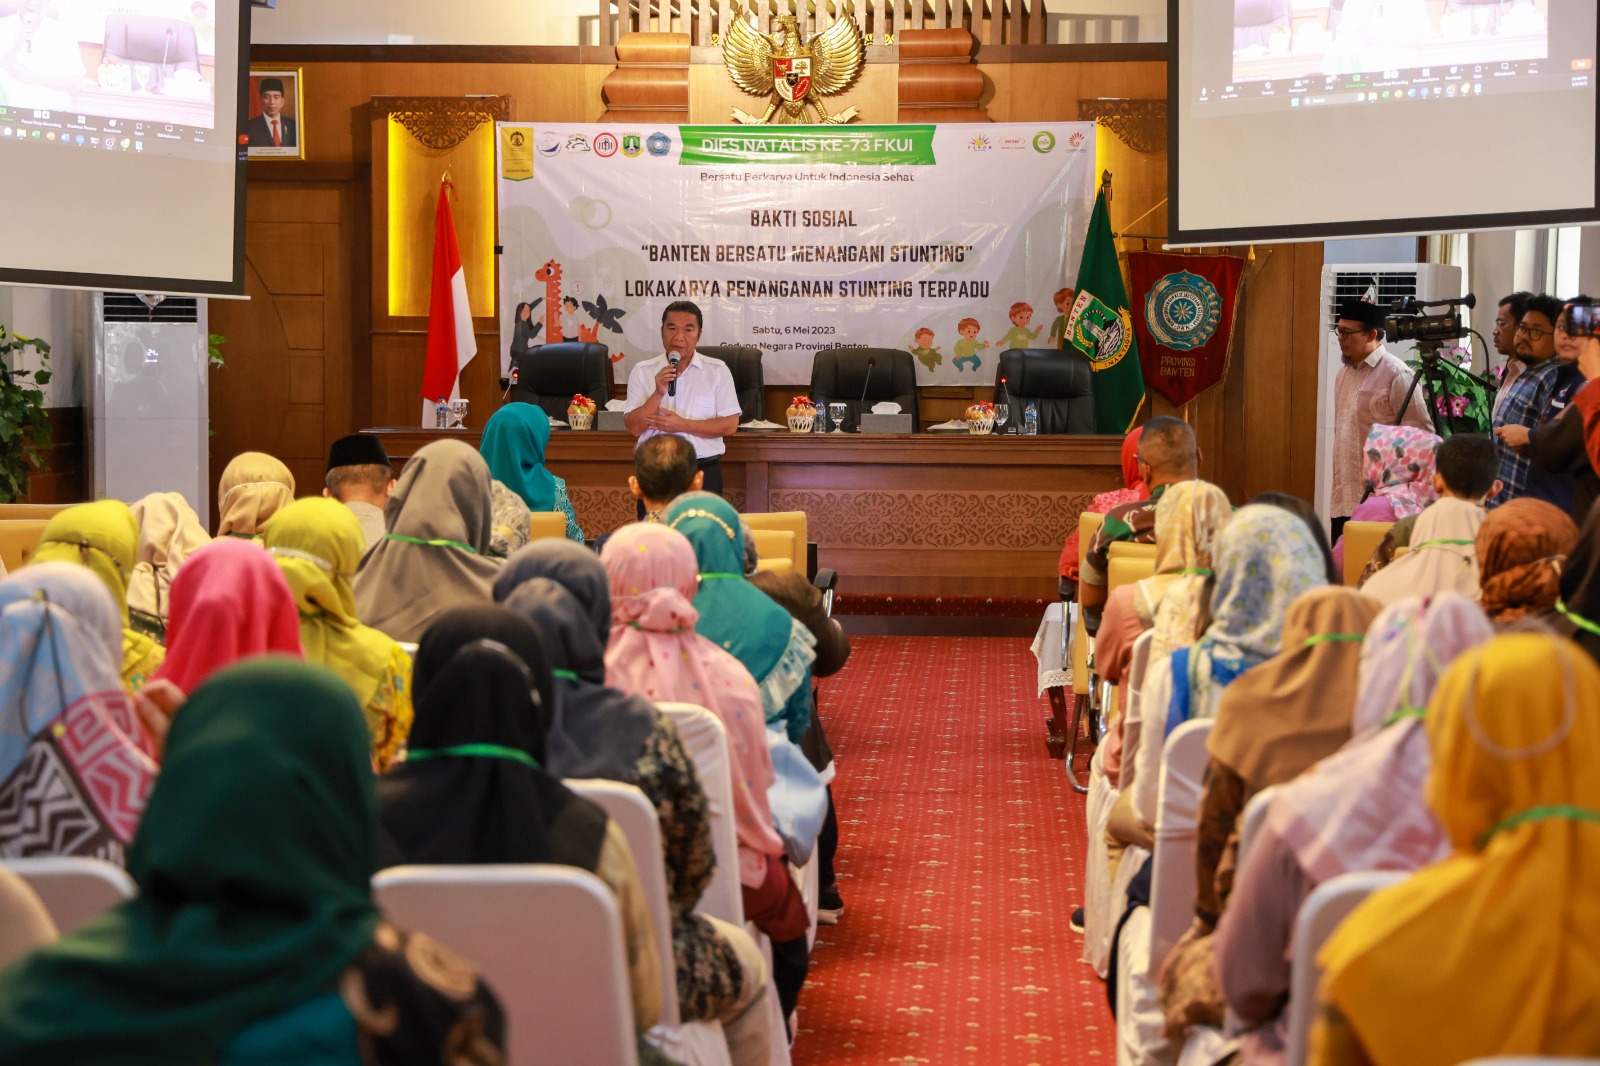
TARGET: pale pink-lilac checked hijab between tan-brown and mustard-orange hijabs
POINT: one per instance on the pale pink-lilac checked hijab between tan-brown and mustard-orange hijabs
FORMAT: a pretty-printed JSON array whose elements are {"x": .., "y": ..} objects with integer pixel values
[{"x": 1362, "y": 808}]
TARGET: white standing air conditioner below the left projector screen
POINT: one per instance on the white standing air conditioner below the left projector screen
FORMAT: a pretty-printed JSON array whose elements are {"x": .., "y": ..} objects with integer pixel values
[{"x": 150, "y": 398}]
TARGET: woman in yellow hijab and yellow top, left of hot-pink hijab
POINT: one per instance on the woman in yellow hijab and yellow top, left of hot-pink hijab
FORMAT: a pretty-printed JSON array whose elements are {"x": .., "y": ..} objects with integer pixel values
[{"x": 105, "y": 539}]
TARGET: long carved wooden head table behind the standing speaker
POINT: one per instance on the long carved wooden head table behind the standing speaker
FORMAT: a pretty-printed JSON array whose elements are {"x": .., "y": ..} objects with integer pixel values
[{"x": 927, "y": 515}]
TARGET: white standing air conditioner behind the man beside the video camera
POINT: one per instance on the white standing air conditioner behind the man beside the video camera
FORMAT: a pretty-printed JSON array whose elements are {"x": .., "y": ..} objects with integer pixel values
[{"x": 1346, "y": 281}]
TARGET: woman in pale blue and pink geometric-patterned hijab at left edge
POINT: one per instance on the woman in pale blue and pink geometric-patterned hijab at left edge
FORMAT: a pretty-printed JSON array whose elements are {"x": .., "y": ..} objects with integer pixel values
[{"x": 76, "y": 766}]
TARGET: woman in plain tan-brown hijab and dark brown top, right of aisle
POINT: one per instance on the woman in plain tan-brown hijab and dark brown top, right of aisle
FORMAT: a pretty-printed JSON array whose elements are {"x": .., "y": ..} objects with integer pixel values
[{"x": 1271, "y": 724}]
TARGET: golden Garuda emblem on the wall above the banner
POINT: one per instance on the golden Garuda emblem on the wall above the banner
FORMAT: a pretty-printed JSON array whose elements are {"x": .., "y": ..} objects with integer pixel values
[{"x": 798, "y": 73}]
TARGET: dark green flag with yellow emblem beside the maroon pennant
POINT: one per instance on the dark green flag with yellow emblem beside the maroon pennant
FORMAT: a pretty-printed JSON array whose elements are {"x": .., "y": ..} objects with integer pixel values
[{"x": 1102, "y": 329}]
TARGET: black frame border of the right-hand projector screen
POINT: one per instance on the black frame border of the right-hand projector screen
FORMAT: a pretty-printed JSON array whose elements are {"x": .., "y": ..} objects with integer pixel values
[{"x": 1423, "y": 226}]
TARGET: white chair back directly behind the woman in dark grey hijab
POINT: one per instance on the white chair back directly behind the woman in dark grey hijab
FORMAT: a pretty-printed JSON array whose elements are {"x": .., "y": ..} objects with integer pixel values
[{"x": 694, "y": 1043}]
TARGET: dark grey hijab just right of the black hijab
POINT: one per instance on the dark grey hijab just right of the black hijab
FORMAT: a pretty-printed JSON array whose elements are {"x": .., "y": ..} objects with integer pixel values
[{"x": 598, "y": 732}]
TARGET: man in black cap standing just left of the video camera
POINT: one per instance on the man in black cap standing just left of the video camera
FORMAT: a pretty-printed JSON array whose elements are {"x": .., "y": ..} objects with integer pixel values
[{"x": 1370, "y": 390}]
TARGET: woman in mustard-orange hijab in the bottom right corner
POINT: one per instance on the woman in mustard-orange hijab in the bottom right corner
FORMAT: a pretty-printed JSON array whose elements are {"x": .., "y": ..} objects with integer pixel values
[{"x": 1490, "y": 952}]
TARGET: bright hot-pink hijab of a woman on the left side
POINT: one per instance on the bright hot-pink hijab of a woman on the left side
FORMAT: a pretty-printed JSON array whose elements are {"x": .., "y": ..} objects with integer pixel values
[{"x": 228, "y": 603}]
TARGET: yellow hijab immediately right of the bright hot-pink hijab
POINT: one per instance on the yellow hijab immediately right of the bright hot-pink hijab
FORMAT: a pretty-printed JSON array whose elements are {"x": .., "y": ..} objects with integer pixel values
[{"x": 318, "y": 543}]
